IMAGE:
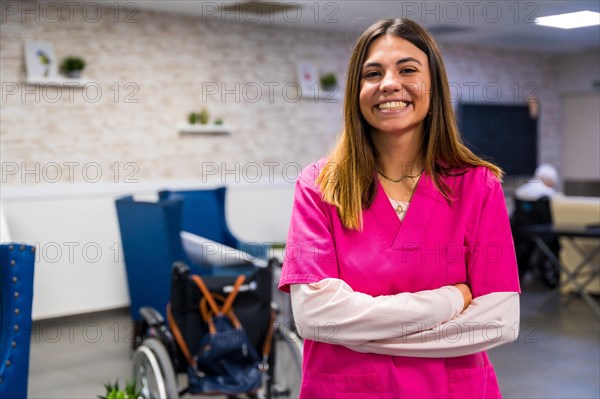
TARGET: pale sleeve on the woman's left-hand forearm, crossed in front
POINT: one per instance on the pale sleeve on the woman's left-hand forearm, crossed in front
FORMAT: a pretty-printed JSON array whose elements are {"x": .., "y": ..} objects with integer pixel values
[{"x": 331, "y": 304}]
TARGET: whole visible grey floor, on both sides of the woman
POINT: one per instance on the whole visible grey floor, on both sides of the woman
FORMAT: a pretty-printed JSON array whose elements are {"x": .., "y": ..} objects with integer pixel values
[{"x": 557, "y": 354}]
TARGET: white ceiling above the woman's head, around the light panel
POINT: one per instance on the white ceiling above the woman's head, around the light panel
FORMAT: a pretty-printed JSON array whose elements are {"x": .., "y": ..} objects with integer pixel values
[{"x": 498, "y": 24}]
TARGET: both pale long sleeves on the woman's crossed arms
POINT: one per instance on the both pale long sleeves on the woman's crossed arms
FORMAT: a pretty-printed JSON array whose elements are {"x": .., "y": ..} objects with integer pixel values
[{"x": 423, "y": 324}]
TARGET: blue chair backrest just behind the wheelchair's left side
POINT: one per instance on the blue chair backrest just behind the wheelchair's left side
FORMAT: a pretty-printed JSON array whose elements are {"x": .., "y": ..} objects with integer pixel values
[{"x": 151, "y": 243}]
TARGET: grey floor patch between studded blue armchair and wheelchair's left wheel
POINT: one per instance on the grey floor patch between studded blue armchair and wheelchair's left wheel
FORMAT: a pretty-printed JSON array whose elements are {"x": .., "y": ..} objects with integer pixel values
[{"x": 73, "y": 357}]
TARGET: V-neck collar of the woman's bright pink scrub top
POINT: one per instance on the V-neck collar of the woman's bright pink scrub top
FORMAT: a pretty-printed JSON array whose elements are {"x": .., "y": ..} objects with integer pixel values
[{"x": 409, "y": 231}]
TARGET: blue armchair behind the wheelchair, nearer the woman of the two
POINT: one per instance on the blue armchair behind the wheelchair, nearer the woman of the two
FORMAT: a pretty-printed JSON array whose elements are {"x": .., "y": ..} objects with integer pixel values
[{"x": 203, "y": 214}]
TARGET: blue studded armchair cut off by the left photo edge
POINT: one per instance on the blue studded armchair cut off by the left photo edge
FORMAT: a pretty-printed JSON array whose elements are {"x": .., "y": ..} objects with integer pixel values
[{"x": 16, "y": 290}]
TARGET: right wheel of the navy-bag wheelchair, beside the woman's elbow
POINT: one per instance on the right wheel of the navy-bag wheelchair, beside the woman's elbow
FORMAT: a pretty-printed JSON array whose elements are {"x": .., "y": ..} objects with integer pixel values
[{"x": 287, "y": 369}]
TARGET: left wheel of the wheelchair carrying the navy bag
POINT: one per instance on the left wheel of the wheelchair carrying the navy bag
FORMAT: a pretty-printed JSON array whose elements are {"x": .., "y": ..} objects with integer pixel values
[{"x": 153, "y": 371}]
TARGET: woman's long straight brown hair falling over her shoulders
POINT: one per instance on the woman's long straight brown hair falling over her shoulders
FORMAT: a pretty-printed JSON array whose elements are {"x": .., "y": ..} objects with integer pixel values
[{"x": 348, "y": 179}]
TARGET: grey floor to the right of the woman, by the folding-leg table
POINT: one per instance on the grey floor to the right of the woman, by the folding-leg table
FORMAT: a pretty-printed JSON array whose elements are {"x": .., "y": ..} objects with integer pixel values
[{"x": 557, "y": 354}]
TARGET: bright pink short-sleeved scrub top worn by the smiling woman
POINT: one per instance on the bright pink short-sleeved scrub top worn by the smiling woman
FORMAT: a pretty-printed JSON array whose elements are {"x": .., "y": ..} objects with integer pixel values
[{"x": 437, "y": 244}]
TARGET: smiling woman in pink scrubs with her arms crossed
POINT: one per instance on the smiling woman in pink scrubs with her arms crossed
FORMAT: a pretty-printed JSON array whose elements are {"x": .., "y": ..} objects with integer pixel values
[{"x": 391, "y": 300}]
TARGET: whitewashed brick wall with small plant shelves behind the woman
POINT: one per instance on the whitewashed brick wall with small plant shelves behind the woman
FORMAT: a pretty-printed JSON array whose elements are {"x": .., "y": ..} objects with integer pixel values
[{"x": 164, "y": 61}]
